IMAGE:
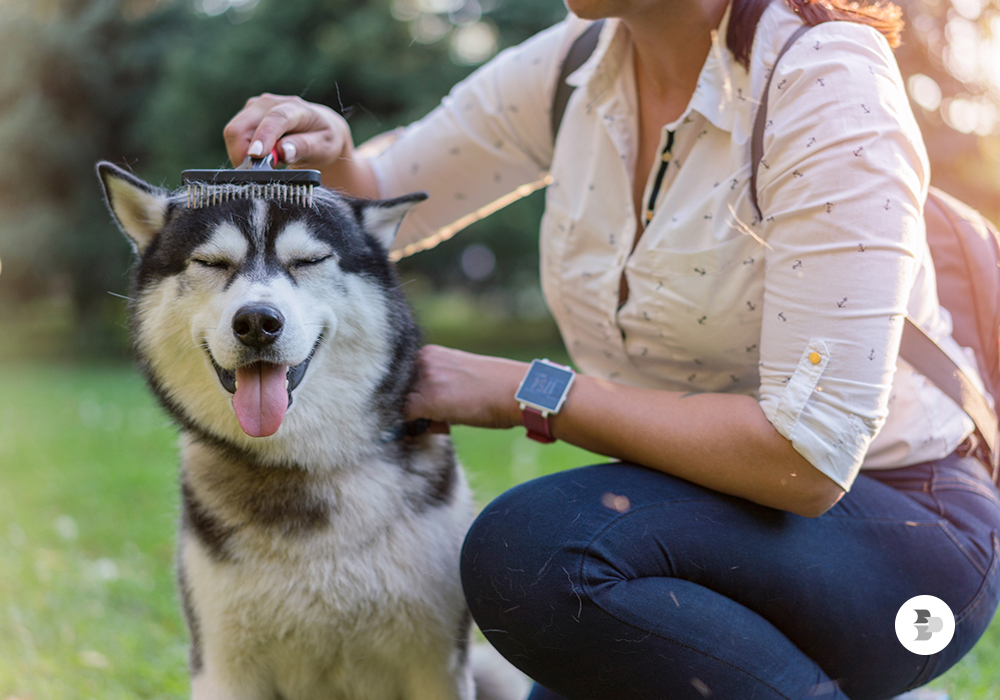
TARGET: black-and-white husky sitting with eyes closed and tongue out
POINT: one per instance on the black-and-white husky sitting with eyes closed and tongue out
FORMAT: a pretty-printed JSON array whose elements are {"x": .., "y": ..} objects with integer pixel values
[{"x": 319, "y": 541}]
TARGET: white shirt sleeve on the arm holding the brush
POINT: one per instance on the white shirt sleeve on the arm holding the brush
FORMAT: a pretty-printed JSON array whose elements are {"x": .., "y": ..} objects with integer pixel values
[{"x": 489, "y": 136}]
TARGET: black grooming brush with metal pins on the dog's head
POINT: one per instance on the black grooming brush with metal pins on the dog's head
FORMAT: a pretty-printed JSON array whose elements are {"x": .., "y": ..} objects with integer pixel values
[{"x": 254, "y": 178}]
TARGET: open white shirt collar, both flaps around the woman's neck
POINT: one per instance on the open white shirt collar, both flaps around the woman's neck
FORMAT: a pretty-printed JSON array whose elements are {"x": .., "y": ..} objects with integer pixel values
[{"x": 723, "y": 84}]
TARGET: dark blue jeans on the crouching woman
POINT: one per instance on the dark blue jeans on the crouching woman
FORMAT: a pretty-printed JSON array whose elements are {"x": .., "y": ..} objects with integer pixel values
[{"x": 617, "y": 581}]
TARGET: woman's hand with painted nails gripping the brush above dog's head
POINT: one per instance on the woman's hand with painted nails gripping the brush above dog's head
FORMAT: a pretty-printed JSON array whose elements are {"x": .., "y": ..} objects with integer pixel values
[{"x": 307, "y": 136}]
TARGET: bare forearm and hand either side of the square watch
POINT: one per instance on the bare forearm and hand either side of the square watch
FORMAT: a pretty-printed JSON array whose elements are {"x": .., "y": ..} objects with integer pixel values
[{"x": 720, "y": 441}]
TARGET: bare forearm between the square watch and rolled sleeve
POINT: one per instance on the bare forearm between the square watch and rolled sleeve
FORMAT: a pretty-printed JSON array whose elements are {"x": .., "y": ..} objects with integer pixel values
[{"x": 720, "y": 441}]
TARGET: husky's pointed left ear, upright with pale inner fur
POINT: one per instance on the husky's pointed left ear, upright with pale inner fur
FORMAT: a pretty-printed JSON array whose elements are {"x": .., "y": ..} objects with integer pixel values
[{"x": 139, "y": 208}]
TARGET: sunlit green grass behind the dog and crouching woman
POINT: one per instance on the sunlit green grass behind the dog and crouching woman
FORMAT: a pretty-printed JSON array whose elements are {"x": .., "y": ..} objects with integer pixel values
[{"x": 88, "y": 505}]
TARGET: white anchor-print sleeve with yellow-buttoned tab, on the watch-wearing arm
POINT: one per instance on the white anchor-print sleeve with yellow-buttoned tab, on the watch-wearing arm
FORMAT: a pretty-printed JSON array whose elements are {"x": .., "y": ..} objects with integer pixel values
[{"x": 841, "y": 187}]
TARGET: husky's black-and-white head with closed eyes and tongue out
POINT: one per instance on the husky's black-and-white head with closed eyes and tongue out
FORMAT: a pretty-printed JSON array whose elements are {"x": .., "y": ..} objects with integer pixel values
[{"x": 247, "y": 307}]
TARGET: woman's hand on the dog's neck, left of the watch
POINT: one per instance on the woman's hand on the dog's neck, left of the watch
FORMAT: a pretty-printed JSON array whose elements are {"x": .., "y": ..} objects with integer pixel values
[{"x": 459, "y": 387}]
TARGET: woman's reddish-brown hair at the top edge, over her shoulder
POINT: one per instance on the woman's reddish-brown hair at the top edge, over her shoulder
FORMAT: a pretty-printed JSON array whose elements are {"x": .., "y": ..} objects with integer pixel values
[{"x": 745, "y": 14}]
